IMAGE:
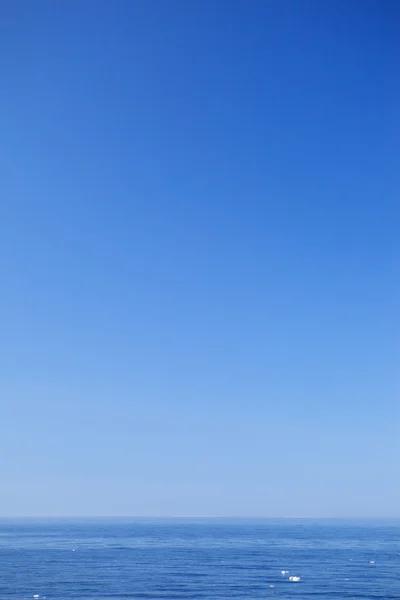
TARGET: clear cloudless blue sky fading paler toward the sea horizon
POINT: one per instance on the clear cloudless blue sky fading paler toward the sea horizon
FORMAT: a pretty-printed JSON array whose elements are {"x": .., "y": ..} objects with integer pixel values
[{"x": 199, "y": 258}]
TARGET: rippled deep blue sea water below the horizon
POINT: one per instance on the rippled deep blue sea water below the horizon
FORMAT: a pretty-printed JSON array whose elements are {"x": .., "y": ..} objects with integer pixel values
[{"x": 127, "y": 558}]
